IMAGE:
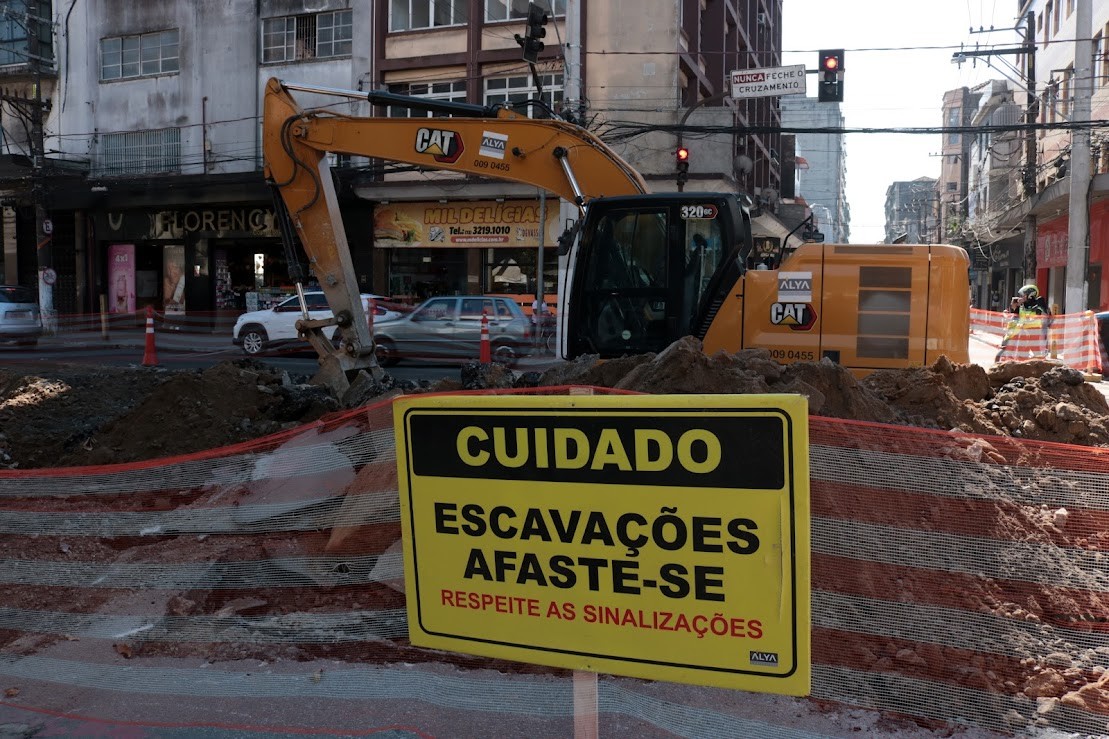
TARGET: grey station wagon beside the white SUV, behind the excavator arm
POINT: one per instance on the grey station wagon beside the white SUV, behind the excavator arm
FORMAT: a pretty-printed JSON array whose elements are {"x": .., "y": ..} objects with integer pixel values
[{"x": 450, "y": 328}]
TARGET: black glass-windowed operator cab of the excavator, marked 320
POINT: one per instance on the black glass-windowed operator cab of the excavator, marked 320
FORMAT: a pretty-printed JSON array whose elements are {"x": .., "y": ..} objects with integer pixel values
[{"x": 652, "y": 269}]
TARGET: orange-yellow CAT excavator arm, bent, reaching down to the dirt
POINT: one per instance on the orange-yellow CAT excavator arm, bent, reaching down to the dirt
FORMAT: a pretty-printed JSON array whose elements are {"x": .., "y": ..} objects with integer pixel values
[{"x": 556, "y": 156}]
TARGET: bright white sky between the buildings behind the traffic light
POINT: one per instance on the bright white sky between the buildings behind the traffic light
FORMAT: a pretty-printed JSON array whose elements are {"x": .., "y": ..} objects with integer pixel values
[{"x": 898, "y": 65}]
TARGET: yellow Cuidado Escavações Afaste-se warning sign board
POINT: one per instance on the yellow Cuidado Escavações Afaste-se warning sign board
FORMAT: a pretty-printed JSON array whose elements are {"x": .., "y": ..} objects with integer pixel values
[{"x": 656, "y": 536}]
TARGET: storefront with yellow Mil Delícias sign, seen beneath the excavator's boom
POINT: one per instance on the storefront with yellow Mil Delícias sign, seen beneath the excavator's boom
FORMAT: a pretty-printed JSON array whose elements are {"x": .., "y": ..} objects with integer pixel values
[{"x": 466, "y": 248}]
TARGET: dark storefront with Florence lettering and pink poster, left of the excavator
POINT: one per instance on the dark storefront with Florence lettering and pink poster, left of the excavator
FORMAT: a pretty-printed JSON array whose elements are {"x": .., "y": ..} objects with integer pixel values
[{"x": 190, "y": 261}]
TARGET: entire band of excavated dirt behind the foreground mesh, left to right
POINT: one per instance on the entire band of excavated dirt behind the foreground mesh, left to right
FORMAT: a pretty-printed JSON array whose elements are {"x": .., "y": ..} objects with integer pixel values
[{"x": 70, "y": 416}]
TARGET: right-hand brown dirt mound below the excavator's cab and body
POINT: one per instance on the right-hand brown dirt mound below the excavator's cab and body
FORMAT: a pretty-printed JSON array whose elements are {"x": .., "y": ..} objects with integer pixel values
[{"x": 1032, "y": 400}]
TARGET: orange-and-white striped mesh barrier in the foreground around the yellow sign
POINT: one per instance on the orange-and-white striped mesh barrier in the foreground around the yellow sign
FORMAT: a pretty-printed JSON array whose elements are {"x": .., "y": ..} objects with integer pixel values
[{"x": 960, "y": 581}]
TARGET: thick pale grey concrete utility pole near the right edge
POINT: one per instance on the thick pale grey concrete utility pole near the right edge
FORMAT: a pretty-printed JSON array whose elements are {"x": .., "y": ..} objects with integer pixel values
[{"x": 1079, "y": 231}]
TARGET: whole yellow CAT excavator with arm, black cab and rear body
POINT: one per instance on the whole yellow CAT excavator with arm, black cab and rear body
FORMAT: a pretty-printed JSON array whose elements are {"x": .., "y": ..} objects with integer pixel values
[{"x": 638, "y": 270}]
